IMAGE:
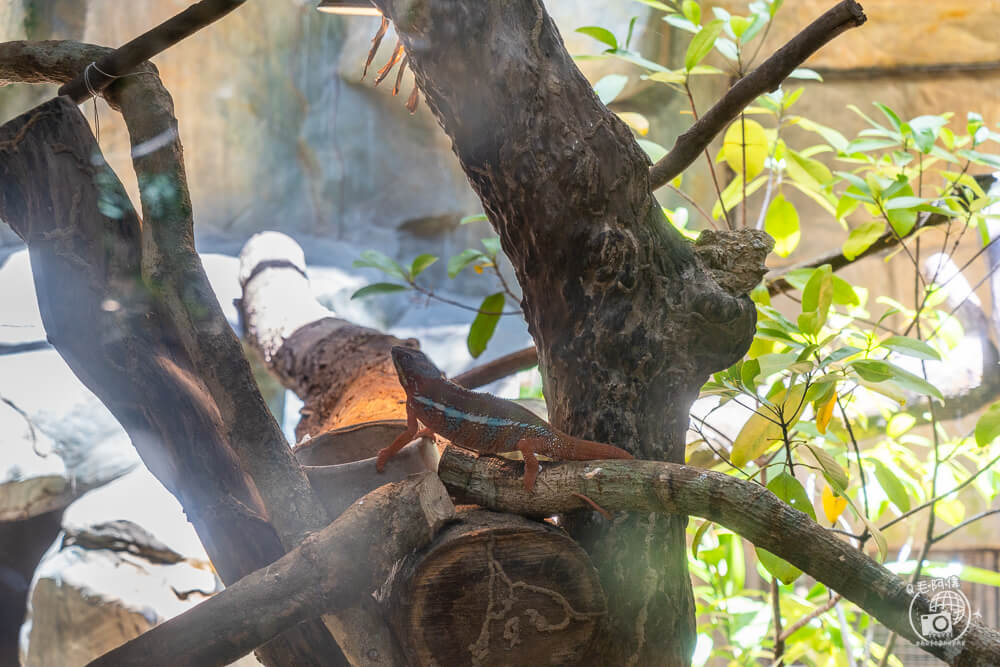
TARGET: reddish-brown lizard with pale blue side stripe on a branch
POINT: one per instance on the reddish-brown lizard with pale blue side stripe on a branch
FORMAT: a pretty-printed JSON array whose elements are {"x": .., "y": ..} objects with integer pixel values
[{"x": 479, "y": 421}]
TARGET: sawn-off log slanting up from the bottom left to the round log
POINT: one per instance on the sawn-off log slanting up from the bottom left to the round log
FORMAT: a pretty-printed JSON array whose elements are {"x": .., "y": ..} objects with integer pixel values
[{"x": 349, "y": 559}]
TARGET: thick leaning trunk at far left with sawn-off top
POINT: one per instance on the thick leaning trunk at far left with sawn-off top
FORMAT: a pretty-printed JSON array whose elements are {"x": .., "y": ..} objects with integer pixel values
[{"x": 112, "y": 331}]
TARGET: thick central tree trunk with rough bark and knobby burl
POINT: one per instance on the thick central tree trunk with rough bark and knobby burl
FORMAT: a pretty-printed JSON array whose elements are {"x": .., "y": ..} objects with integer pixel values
[{"x": 628, "y": 319}]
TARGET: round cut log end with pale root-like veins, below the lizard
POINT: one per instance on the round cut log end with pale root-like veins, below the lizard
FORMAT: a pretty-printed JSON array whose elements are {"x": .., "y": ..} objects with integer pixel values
[{"x": 494, "y": 589}]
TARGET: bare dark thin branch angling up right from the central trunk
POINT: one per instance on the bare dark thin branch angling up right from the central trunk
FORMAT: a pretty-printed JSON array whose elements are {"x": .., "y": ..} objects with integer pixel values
[{"x": 844, "y": 16}]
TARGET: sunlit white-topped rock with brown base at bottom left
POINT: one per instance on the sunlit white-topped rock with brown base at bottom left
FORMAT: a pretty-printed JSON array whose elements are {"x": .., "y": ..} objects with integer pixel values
[{"x": 126, "y": 561}]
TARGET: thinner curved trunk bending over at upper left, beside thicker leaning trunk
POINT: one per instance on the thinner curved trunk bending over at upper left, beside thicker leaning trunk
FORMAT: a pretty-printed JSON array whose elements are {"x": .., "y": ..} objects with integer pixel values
[{"x": 169, "y": 262}]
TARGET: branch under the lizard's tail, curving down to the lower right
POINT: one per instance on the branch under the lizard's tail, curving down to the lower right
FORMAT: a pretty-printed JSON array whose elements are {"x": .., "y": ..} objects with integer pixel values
[{"x": 743, "y": 507}]
